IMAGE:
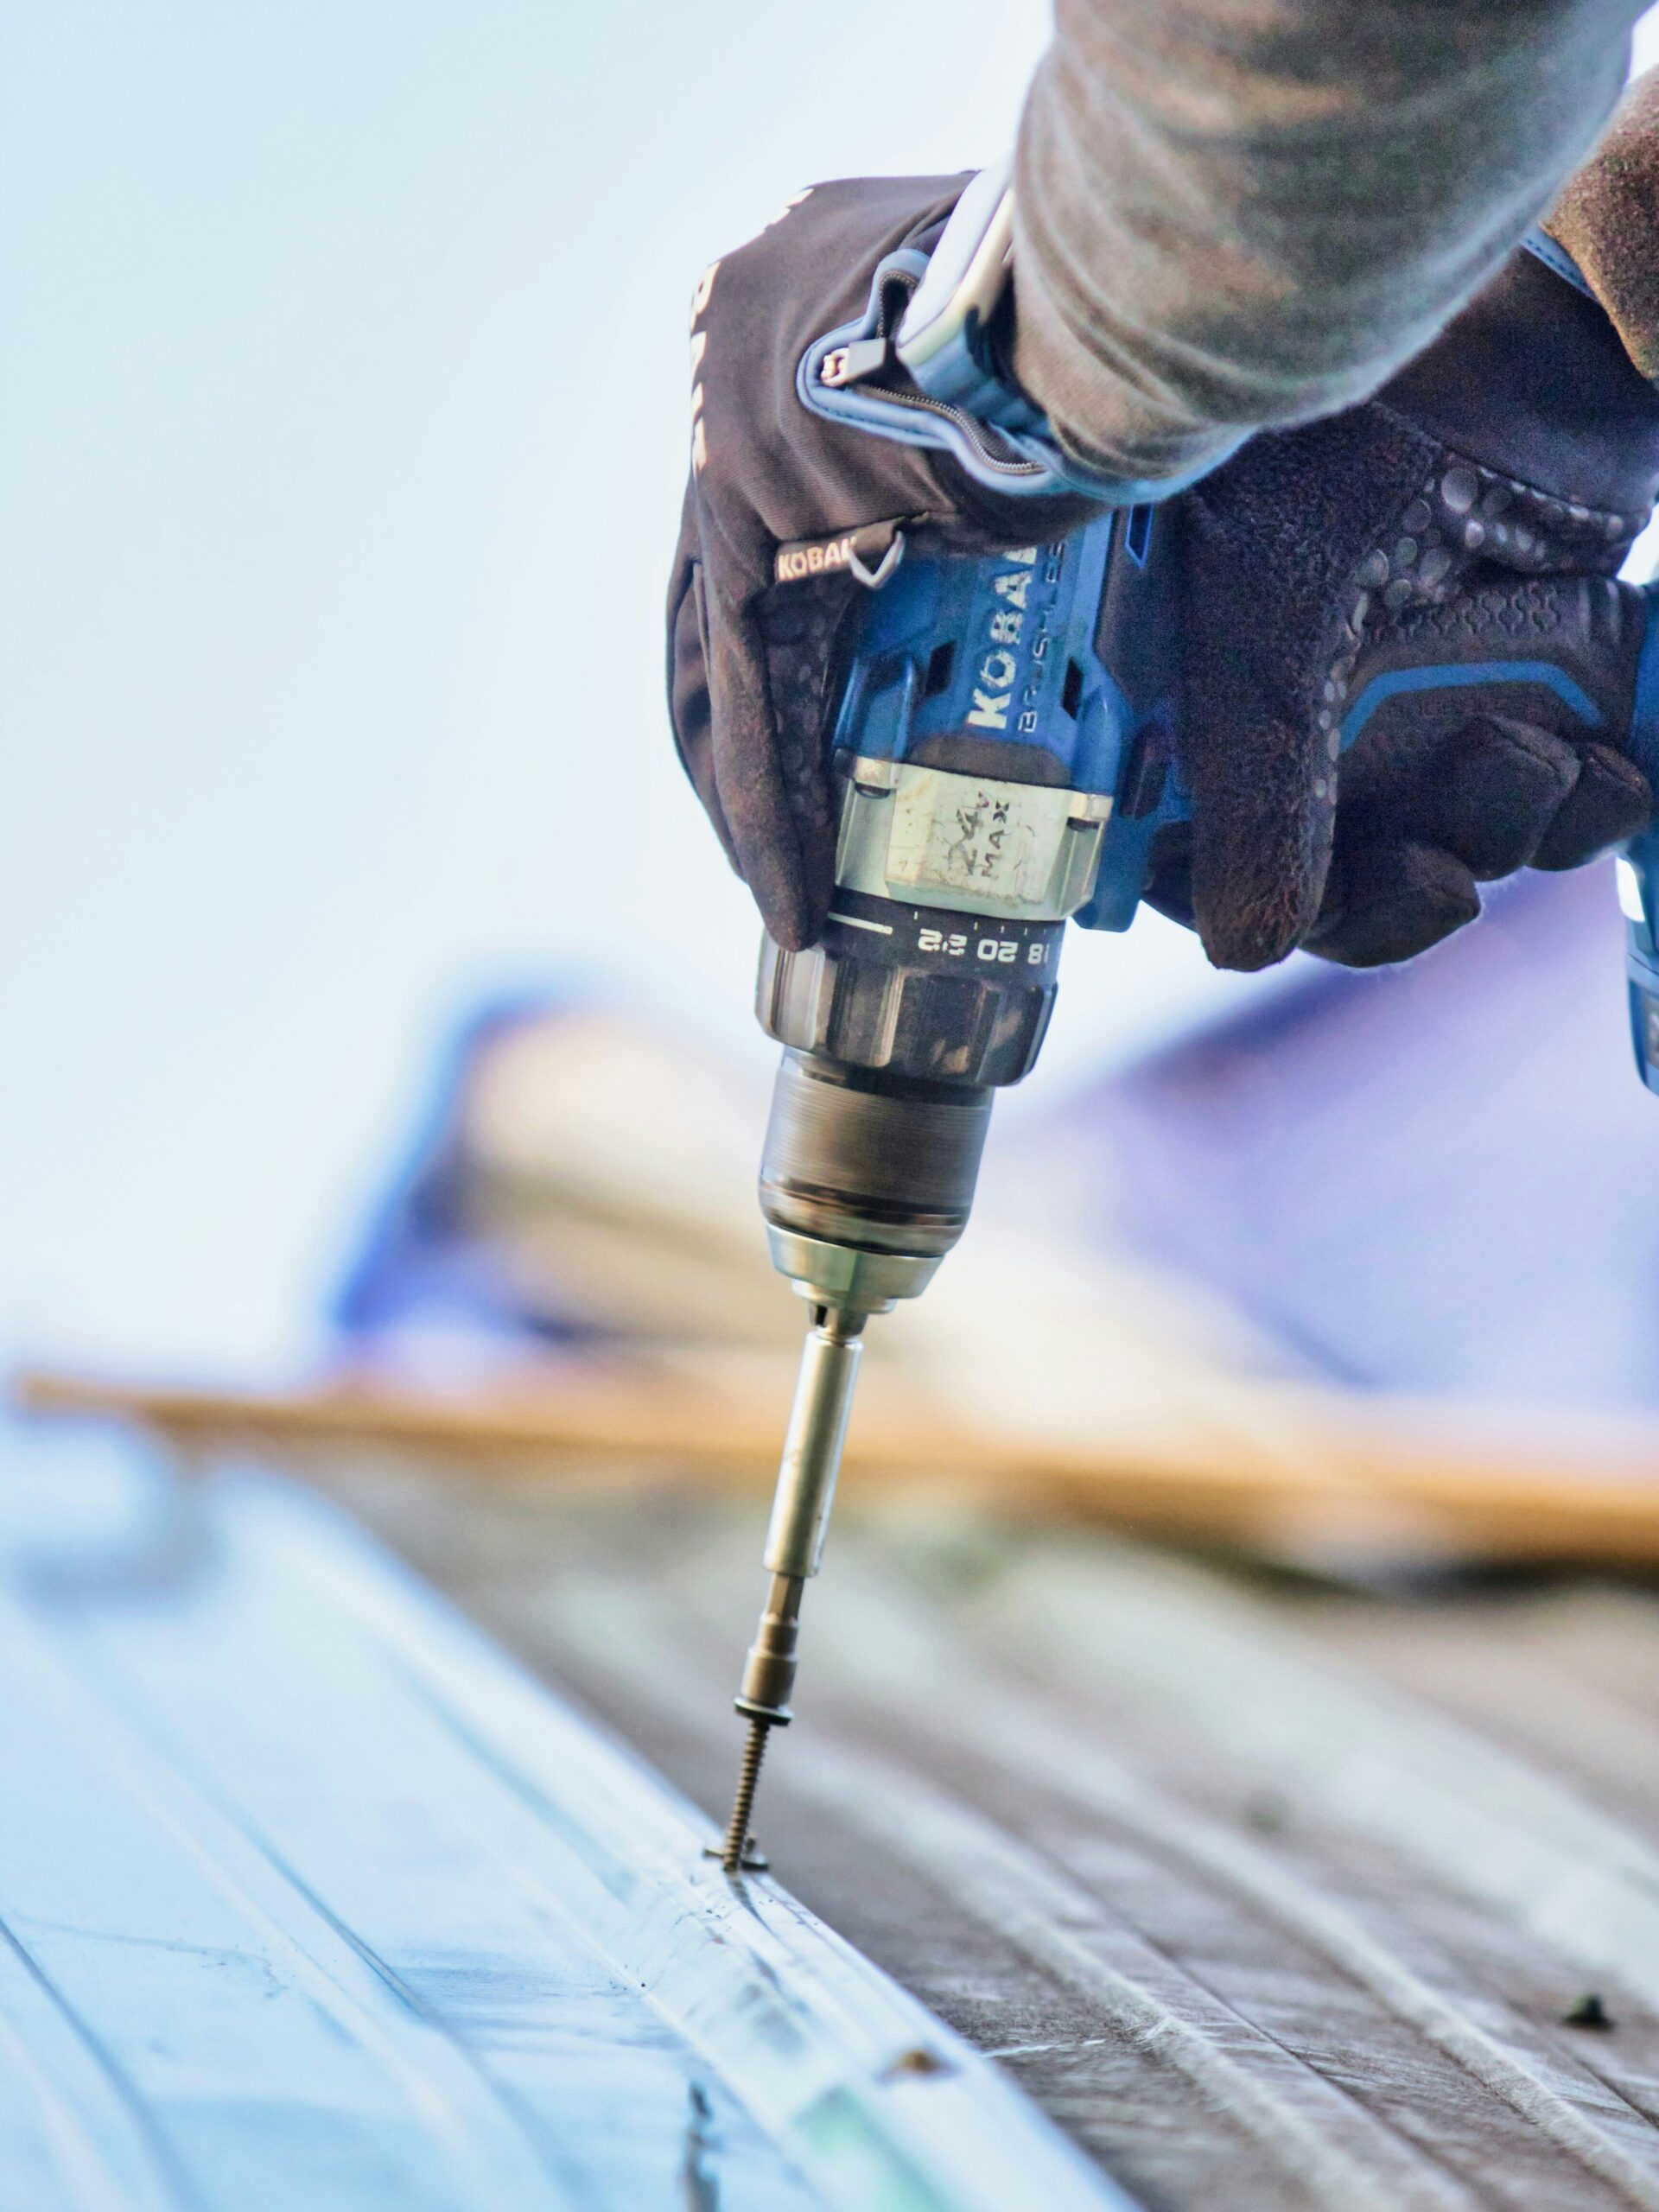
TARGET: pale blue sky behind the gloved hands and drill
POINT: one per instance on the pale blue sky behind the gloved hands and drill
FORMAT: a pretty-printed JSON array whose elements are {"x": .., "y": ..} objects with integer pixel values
[{"x": 344, "y": 386}]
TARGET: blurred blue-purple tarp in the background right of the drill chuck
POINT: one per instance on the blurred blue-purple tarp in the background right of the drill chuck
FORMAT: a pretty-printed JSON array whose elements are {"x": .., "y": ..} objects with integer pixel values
[{"x": 1441, "y": 1178}]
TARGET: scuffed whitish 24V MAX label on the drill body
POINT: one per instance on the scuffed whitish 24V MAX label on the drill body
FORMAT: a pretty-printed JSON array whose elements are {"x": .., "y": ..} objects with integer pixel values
[{"x": 954, "y": 833}]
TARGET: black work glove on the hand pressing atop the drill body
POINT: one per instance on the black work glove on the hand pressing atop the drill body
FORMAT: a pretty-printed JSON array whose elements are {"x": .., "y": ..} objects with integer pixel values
[{"x": 782, "y": 514}]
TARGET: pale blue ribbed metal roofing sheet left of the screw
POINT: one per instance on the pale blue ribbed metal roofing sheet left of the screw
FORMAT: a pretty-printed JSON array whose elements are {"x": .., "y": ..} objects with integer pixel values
[{"x": 309, "y": 1899}]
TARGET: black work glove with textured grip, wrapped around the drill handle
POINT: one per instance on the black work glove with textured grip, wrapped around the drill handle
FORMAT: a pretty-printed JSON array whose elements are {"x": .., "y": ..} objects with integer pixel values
[{"x": 1485, "y": 497}]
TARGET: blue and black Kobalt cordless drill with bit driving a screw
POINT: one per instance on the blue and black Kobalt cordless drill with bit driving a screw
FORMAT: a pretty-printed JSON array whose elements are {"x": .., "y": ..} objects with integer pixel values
[{"x": 1005, "y": 762}]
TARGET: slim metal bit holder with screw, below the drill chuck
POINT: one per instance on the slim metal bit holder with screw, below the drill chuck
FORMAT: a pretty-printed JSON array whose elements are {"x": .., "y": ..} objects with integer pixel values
[{"x": 795, "y": 1547}]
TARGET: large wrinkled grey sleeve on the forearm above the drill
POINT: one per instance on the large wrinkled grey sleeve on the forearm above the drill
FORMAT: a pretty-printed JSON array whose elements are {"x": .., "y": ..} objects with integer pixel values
[{"x": 1246, "y": 213}]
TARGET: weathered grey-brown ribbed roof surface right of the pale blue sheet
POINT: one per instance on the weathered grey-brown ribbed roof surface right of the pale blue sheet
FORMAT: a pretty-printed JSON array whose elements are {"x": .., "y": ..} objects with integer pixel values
[{"x": 1277, "y": 1897}]
